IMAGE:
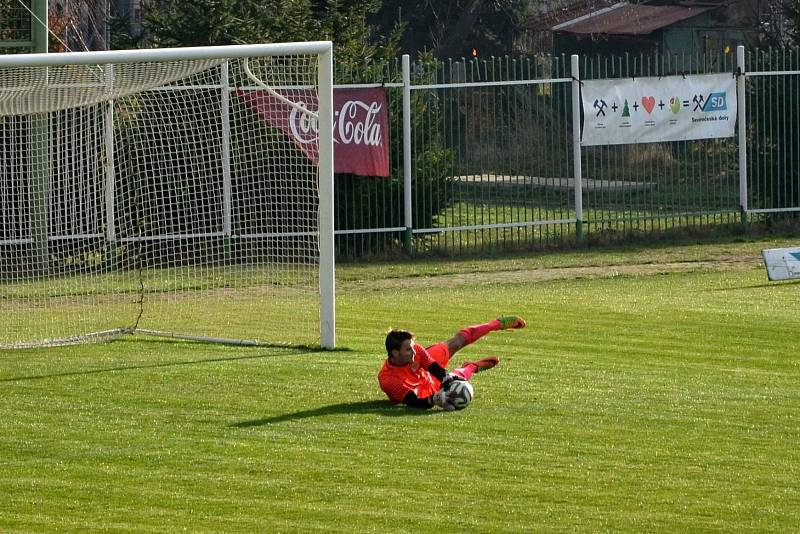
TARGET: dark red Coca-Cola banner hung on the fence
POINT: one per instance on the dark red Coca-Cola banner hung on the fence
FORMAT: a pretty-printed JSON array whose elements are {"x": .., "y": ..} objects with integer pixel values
[{"x": 360, "y": 126}]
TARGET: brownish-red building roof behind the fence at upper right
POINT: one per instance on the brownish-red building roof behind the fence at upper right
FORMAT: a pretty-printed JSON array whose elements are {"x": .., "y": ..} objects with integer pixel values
[{"x": 630, "y": 19}]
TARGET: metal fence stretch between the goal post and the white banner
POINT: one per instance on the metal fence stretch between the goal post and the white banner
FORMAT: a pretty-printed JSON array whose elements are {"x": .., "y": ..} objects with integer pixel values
[{"x": 478, "y": 130}]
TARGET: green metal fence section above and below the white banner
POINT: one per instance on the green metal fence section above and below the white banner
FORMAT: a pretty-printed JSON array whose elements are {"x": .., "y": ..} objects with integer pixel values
[{"x": 654, "y": 187}]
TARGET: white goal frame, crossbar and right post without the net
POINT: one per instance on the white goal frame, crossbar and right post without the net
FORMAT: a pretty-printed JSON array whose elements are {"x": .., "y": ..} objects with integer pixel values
[{"x": 322, "y": 49}]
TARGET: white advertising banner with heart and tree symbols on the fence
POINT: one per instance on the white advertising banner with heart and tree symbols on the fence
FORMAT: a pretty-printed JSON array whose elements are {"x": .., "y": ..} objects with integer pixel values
[{"x": 651, "y": 110}]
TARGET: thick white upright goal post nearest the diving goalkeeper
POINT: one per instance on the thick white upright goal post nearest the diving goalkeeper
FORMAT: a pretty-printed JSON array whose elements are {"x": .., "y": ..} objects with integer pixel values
[{"x": 327, "y": 272}]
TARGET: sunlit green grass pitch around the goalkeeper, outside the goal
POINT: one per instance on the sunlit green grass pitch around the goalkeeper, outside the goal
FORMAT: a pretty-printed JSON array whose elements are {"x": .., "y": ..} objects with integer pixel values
[{"x": 649, "y": 402}]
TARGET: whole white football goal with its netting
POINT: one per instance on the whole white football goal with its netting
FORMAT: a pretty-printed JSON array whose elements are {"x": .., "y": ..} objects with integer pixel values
[{"x": 161, "y": 192}]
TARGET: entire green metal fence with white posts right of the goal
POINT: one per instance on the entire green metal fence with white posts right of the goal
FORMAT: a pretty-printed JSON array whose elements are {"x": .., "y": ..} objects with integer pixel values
[{"x": 486, "y": 158}]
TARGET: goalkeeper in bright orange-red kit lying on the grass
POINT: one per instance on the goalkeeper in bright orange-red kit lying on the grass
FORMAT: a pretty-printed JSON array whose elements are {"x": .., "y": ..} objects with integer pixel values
[{"x": 415, "y": 376}]
